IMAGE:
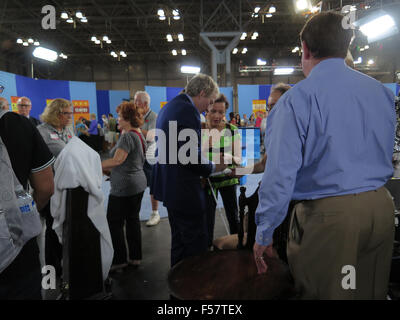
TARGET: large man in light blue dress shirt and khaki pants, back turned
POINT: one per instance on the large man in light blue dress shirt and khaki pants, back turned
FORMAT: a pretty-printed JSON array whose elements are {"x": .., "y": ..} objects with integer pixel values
[{"x": 329, "y": 143}]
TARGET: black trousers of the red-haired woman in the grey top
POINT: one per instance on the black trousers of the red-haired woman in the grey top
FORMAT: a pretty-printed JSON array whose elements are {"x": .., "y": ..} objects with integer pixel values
[{"x": 125, "y": 211}]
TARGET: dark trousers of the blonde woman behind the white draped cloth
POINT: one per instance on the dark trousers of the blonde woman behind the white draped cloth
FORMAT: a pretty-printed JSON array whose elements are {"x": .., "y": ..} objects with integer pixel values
[{"x": 52, "y": 247}]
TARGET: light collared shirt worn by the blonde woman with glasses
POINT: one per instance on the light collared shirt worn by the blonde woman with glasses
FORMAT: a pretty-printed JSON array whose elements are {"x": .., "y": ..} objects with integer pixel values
[{"x": 55, "y": 140}]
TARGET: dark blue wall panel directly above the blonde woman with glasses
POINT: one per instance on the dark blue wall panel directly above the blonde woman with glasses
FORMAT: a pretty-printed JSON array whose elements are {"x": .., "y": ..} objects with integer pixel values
[{"x": 41, "y": 90}]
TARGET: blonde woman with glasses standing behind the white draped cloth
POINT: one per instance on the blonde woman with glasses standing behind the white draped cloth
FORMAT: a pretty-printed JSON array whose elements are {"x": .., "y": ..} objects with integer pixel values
[{"x": 56, "y": 133}]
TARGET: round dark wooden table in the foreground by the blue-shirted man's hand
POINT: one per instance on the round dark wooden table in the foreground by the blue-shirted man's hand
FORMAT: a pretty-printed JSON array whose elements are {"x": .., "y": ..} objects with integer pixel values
[{"x": 229, "y": 275}]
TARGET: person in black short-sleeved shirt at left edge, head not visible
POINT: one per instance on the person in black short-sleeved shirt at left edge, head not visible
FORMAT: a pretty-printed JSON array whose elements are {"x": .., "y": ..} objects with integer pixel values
[{"x": 31, "y": 160}]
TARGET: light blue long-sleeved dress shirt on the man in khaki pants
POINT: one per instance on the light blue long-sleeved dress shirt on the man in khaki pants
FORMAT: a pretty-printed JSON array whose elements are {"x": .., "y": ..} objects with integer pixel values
[{"x": 331, "y": 134}]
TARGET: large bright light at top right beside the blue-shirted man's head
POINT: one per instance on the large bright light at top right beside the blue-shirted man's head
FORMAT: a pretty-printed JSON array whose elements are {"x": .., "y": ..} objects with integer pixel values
[{"x": 381, "y": 27}]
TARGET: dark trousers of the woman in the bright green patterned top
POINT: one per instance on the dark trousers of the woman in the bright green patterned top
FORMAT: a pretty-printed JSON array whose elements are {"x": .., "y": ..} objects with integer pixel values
[{"x": 229, "y": 200}]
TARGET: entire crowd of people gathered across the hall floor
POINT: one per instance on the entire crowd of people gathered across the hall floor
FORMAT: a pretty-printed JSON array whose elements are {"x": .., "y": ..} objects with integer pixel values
[{"x": 328, "y": 149}]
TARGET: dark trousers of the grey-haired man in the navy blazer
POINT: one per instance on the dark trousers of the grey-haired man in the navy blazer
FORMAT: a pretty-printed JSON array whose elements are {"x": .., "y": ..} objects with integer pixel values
[{"x": 188, "y": 234}]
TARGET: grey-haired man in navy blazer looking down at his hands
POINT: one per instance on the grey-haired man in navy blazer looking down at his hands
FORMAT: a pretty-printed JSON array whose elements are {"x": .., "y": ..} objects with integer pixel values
[{"x": 176, "y": 181}]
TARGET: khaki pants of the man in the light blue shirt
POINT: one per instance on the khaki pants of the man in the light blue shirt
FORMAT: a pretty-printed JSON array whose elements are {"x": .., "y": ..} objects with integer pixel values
[{"x": 341, "y": 247}]
